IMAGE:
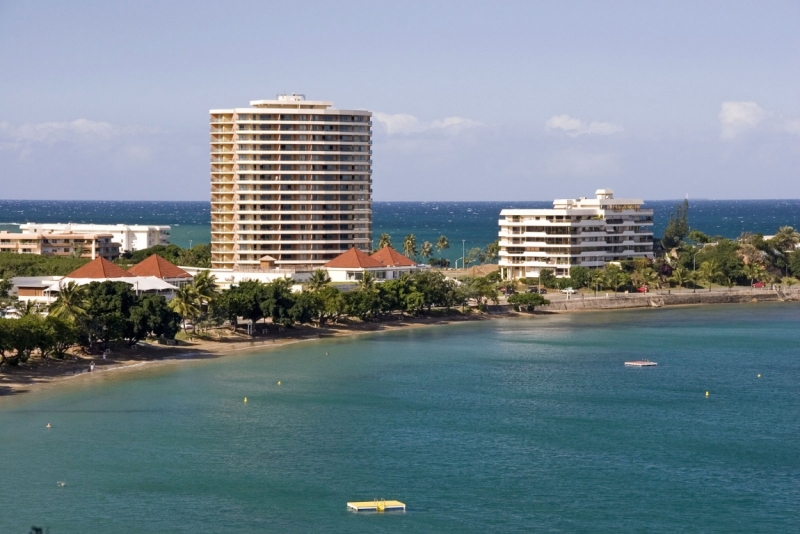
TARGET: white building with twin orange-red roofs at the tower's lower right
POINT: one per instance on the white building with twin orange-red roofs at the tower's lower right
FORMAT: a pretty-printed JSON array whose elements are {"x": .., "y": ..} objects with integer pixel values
[{"x": 385, "y": 264}]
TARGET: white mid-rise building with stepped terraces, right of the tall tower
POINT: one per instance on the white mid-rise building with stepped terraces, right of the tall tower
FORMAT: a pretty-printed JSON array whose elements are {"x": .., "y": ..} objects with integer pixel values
[{"x": 589, "y": 232}]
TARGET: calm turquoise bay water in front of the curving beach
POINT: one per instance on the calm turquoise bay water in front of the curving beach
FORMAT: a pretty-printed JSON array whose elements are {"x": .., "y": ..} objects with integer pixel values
[{"x": 499, "y": 426}]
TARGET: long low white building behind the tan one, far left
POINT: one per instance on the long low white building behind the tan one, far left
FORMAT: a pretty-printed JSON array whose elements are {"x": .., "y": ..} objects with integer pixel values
[{"x": 129, "y": 236}]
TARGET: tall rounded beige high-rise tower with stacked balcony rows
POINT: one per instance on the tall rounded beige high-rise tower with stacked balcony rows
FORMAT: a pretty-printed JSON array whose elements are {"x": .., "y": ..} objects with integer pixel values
[{"x": 290, "y": 179}]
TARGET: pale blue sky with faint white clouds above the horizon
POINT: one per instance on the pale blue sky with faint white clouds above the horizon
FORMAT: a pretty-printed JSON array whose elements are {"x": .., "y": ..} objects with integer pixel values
[{"x": 471, "y": 100}]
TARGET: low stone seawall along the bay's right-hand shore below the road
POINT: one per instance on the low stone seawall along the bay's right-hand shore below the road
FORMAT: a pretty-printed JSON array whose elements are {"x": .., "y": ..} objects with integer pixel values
[{"x": 625, "y": 301}]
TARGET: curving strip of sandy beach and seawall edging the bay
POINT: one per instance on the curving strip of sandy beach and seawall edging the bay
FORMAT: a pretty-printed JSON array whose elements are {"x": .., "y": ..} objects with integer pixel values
[{"x": 19, "y": 380}]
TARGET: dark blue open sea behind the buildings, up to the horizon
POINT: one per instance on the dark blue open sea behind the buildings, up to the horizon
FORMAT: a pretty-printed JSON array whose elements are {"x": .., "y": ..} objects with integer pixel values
[{"x": 473, "y": 222}]
